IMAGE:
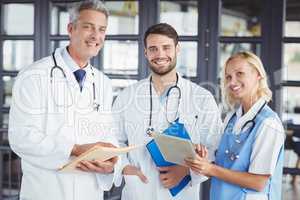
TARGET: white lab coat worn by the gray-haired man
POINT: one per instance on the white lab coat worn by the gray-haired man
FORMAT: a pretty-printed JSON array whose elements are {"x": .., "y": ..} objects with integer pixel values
[{"x": 47, "y": 119}]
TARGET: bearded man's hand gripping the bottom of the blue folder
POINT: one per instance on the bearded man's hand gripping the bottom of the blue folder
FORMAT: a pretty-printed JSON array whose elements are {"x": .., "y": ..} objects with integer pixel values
[{"x": 171, "y": 176}]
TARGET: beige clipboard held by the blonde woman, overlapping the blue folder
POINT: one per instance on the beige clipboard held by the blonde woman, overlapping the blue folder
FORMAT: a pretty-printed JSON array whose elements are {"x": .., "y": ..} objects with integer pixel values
[{"x": 175, "y": 149}]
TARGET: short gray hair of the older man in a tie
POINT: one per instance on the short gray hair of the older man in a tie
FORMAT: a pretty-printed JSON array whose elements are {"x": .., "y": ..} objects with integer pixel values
[{"x": 96, "y": 5}]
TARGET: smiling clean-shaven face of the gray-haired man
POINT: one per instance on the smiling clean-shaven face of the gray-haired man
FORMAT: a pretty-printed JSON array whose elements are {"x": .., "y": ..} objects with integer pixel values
[{"x": 87, "y": 34}]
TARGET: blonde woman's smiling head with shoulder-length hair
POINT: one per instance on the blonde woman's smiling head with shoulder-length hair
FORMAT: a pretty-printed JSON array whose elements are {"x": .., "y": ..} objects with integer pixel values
[{"x": 244, "y": 80}]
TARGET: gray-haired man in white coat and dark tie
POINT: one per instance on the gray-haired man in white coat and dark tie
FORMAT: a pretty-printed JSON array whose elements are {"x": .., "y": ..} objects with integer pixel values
[{"x": 61, "y": 107}]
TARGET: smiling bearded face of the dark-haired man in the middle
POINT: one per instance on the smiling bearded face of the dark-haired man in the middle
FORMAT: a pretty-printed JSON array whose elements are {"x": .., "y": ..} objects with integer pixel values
[{"x": 161, "y": 53}]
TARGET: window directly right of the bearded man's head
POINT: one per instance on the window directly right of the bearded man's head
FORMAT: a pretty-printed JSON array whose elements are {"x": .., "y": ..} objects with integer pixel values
[{"x": 183, "y": 16}]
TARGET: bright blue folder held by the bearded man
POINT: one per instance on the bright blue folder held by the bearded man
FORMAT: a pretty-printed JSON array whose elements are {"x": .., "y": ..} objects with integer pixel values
[{"x": 178, "y": 130}]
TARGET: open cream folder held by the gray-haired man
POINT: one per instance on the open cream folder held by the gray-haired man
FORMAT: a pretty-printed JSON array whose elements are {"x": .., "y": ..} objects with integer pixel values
[{"x": 97, "y": 153}]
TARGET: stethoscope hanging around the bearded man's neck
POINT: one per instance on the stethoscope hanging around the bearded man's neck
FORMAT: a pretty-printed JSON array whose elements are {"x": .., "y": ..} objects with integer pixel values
[{"x": 150, "y": 129}]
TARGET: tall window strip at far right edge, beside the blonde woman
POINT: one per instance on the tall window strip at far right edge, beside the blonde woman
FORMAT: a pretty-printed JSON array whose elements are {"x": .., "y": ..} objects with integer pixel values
[{"x": 291, "y": 68}]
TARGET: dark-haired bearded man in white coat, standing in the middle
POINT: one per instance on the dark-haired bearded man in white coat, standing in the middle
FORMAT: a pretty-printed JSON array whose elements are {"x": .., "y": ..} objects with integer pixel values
[{"x": 153, "y": 104}]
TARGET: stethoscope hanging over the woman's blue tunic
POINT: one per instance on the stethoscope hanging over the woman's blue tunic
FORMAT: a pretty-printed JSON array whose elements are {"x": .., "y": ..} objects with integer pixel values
[{"x": 238, "y": 143}]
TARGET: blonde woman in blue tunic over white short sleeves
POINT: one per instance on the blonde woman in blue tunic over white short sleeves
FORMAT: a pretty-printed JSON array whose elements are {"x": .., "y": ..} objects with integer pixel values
[{"x": 247, "y": 156}]
